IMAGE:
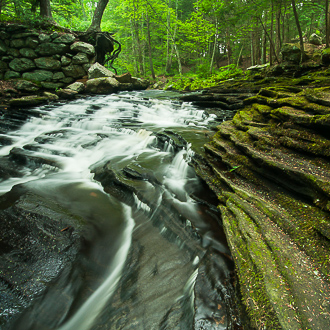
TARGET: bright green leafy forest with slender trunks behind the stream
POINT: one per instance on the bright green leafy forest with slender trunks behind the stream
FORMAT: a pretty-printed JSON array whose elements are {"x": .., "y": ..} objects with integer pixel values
[{"x": 186, "y": 37}]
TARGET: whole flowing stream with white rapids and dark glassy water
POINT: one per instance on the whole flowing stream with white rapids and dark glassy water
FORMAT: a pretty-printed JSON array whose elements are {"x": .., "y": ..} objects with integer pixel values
[{"x": 159, "y": 259}]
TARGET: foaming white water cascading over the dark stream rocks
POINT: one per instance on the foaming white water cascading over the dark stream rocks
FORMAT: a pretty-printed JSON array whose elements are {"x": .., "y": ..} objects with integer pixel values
[{"x": 81, "y": 135}]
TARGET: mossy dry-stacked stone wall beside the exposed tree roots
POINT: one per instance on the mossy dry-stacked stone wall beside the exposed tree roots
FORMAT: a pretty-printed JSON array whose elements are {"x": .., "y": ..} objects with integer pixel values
[{"x": 53, "y": 59}]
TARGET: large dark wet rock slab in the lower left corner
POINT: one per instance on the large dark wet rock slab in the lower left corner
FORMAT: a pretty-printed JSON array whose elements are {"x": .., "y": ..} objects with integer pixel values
[{"x": 39, "y": 239}]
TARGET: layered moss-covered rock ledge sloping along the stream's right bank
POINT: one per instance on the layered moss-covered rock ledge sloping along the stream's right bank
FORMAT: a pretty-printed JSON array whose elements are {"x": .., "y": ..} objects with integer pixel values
[{"x": 270, "y": 167}]
